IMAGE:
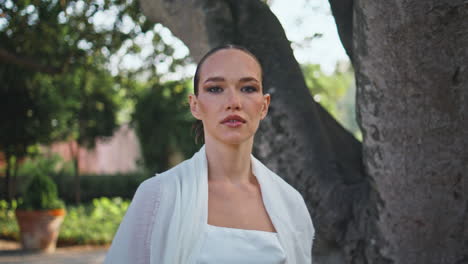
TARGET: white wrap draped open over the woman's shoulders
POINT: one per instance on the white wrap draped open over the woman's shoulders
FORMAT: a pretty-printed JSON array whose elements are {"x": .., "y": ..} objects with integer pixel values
[{"x": 166, "y": 219}]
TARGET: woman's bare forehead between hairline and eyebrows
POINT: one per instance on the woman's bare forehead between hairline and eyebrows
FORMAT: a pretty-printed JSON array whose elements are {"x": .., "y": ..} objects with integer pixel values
[{"x": 230, "y": 63}]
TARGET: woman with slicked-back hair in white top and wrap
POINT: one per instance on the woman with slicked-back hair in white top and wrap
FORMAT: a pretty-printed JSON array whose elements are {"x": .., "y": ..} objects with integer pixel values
[{"x": 222, "y": 205}]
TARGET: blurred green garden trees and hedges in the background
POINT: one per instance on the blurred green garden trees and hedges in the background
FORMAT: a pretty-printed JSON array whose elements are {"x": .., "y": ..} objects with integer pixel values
[{"x": 76, "y": 71}]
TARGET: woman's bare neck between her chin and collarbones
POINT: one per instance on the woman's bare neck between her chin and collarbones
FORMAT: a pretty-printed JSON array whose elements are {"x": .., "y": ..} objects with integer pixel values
[{"x": 229, "y": 163}]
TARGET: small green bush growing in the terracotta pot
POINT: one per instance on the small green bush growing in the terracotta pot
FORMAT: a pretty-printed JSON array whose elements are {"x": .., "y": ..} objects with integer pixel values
[{"x": 41, "y": 194}]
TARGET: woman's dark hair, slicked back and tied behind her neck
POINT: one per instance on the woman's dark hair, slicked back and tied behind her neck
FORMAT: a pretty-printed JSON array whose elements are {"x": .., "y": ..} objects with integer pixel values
[{"x": 198, "y": 125}]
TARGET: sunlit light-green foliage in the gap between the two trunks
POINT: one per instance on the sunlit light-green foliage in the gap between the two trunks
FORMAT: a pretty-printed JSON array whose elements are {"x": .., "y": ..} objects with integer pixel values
[{"x": 335, "y": 92}]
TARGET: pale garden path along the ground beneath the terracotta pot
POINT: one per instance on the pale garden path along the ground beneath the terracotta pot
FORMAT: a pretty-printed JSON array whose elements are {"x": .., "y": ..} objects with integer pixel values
[{"x": 11, "y": 253}]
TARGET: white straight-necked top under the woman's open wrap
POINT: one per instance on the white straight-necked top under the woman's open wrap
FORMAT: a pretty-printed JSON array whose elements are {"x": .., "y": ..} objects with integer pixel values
[{"x": 231, "y": 245}]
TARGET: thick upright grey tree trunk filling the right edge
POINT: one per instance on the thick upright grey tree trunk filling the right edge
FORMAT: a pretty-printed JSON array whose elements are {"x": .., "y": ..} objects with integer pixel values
[{"x": 411, "y": 62}]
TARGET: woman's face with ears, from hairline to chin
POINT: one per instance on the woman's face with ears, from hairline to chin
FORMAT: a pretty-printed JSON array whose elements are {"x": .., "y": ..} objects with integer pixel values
[{"x": 230, "y": 100}]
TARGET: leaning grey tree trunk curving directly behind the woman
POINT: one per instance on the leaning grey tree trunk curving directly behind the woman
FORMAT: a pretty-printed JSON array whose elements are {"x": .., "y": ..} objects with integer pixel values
[{"x": 299, "y": 139}]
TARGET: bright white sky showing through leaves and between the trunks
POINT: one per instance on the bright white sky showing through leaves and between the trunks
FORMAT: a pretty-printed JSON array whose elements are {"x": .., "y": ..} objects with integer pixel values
[{"x": 301, "y": 19}]
